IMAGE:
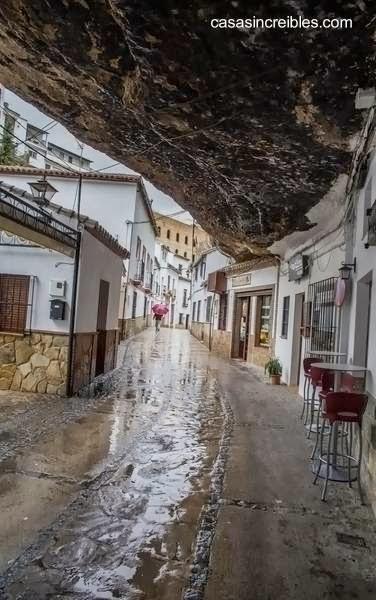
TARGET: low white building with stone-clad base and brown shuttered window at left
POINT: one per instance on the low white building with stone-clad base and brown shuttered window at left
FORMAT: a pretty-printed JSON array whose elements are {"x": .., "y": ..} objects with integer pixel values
[{"x": 59, "y": 296}]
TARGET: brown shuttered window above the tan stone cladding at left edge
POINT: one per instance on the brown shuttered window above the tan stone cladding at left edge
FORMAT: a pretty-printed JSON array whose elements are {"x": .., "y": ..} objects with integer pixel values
[{"x": 14, "y": 302}]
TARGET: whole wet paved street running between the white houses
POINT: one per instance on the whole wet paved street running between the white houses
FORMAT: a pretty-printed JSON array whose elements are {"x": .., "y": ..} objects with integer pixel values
[{"x": 179, "y": 475}]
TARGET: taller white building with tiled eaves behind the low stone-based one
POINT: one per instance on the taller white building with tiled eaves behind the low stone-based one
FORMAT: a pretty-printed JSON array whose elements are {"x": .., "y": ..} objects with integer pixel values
[{"x": 121, "y": 204}]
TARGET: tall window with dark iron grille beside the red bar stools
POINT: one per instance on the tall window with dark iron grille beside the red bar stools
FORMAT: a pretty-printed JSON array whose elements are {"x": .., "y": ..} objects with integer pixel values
[{"x": 321, "y": 332}]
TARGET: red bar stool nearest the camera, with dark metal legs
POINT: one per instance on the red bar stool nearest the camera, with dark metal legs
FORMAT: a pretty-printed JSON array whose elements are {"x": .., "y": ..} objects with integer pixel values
[{"x": 346, "y": 409}]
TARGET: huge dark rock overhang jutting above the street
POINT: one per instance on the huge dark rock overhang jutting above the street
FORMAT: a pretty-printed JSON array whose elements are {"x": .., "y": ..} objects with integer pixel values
[{"x": 246, "y": 129}]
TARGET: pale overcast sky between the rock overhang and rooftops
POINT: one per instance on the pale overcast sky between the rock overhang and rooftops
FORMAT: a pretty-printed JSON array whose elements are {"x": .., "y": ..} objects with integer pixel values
[{"x": 60, "y": 135}]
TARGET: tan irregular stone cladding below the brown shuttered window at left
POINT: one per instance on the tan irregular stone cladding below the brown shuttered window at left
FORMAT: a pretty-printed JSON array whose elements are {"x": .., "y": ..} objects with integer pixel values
[{"x": 34, "y": 363}]
